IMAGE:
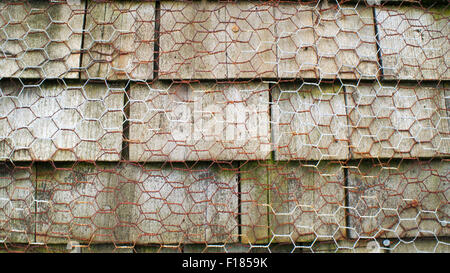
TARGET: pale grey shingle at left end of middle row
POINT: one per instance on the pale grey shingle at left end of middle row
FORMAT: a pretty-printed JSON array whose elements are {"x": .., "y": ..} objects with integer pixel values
[{"x": 60, "y": 122}]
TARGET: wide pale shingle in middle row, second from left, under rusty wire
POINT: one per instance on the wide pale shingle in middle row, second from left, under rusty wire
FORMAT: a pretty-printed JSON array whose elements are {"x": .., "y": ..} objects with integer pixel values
[{"x": 201, "y": 121}]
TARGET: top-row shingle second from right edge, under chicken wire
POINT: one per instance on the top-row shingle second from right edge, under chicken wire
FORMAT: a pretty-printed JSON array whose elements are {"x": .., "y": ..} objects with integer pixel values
[{"x": 326, "y": 41}]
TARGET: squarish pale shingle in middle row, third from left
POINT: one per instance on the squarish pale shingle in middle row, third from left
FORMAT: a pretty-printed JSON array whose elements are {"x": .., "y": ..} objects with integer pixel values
[{"x": 309, "y": 123}]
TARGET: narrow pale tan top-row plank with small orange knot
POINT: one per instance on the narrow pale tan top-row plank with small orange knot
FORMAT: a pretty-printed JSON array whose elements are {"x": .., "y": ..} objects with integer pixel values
[{"x": 251, "y": 40}]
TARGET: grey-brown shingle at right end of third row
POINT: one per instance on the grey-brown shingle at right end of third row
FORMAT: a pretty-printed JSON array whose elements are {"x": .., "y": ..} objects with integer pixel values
[{"x": 399, "y": 199}]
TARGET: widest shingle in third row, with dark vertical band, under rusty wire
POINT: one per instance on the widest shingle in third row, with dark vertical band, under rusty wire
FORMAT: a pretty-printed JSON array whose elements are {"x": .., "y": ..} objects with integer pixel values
[{"x": 134, "y": 204}]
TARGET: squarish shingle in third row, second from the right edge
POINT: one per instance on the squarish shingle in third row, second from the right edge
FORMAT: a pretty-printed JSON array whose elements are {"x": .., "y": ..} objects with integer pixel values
[{"x": 306, "y": 202}]
